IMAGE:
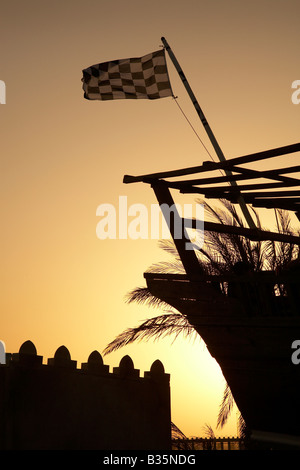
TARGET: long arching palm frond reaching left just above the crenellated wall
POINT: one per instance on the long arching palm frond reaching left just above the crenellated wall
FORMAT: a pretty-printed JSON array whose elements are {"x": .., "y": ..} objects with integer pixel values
[{"x": 153, "y": 328}]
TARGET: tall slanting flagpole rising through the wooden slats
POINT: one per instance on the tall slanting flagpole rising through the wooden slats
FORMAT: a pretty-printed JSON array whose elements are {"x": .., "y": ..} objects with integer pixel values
[{"x": 208, "y": 130}]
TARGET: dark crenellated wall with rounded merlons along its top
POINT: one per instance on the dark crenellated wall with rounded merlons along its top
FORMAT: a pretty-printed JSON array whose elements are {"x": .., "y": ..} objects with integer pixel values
[{"x": 59, "y": 406}]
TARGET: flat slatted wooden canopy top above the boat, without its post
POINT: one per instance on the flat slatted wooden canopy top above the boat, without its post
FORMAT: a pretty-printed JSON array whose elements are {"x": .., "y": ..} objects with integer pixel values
[{"x": 283, "y": 191}]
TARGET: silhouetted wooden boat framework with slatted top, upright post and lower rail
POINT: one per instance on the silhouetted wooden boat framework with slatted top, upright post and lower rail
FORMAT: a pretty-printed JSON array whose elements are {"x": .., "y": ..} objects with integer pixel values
[{"x": 283, "y": 198}]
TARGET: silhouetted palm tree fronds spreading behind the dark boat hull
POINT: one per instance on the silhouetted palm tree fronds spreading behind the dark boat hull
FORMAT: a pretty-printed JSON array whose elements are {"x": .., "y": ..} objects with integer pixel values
[{"x": 219, "y": 255}]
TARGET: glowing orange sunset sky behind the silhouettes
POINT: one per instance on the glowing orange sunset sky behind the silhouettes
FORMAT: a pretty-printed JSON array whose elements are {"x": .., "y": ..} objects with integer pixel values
[{"x": 62, "y": 156}]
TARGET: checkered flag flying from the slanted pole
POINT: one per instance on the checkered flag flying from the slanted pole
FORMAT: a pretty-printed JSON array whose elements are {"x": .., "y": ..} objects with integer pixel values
[{"x": 137, "y": 78}]
